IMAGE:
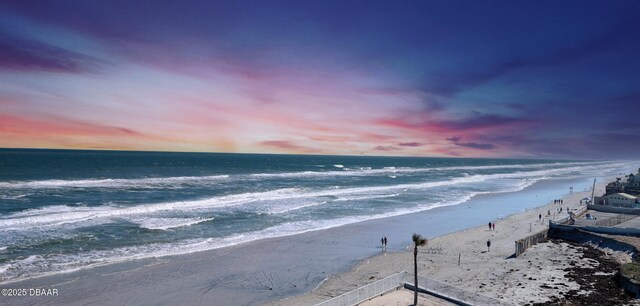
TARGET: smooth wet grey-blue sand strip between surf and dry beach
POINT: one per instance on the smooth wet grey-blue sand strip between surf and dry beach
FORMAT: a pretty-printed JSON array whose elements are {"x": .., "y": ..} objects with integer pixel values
[{"x": 270, "y": 270}]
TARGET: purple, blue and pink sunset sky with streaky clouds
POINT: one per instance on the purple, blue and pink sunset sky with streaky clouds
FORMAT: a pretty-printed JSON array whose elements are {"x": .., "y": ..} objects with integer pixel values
[{"x": 531, "y": 79}]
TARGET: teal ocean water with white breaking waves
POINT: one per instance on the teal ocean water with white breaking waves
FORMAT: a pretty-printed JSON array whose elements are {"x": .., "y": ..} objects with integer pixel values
[{"x": 65, "y": 210}]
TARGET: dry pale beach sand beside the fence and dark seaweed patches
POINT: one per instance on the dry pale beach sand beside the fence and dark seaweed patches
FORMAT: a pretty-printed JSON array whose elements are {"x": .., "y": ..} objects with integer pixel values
[{"x": 534, "y": 277}]
